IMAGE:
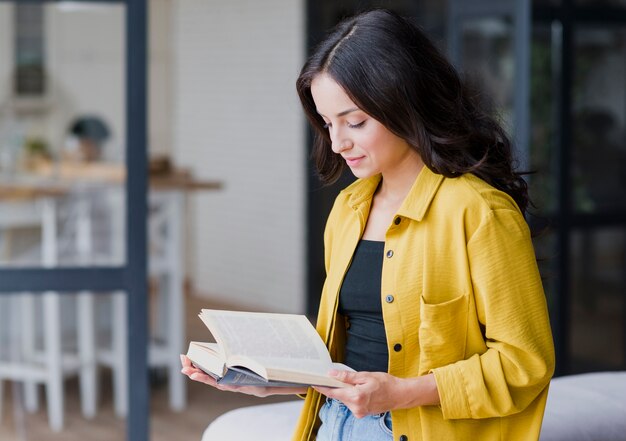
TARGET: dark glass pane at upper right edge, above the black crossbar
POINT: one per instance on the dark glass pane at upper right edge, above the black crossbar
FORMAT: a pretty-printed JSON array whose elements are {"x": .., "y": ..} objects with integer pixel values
[{"x": 599, "y": 114}]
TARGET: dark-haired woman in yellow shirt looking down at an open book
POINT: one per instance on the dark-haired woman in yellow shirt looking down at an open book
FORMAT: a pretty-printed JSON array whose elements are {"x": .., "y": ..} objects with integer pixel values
[{"x": 432, "y": 292}]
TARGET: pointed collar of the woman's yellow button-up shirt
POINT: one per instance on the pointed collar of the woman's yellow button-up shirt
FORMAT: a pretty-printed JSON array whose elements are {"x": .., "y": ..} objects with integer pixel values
[{"x": 416, "y": 202}]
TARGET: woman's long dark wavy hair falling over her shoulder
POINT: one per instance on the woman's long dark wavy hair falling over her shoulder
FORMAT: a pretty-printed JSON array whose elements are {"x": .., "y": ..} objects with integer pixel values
[{"x": 394, "y": 73}]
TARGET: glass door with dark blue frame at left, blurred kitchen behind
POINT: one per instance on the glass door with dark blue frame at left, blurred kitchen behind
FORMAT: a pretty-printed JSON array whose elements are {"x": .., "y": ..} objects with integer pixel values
[{"x": 73, "y": 181}]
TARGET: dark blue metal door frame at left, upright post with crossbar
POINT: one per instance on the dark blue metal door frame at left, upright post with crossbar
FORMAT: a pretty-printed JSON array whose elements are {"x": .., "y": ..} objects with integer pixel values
[{"x": 132, "y": 276}]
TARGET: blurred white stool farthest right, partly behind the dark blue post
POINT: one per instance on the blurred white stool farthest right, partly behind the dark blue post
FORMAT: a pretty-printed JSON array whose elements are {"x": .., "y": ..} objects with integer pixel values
[{"x": 167, "y": 338}]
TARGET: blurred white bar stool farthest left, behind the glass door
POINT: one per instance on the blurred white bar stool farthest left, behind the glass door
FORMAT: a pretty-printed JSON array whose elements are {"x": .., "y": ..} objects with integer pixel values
[{"x": 50, "y": 364}]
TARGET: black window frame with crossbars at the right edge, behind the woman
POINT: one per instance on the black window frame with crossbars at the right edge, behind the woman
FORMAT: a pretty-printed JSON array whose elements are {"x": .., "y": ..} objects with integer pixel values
[{"x": 566, "y": 221}]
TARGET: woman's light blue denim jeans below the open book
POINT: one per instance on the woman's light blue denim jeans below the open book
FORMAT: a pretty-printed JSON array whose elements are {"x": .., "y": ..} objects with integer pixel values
[{"x": 338, "y": 424}]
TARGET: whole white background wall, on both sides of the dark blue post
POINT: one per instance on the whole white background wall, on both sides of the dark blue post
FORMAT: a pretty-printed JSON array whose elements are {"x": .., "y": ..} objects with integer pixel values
[{"x": 222, "y": 102}]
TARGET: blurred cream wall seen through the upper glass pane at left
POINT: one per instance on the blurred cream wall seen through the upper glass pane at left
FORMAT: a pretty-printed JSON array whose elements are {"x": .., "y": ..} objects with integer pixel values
[{"x": 84, "y": 72}]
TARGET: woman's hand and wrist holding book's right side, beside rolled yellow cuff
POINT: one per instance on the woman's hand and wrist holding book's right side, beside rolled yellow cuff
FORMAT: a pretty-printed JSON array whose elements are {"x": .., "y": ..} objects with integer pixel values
[{"x": 370, "y": 393}]
